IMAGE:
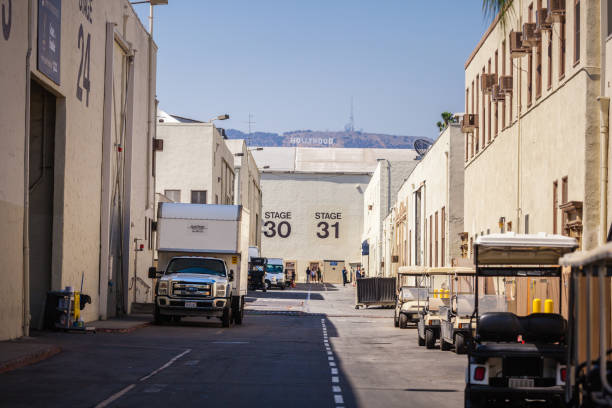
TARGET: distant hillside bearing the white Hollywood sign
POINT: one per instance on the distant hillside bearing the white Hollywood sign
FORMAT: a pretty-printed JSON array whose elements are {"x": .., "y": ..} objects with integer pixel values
[{"x": 310, "y": 138}]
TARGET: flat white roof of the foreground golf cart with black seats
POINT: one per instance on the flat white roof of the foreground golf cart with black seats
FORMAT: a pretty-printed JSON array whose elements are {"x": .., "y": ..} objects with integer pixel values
[{"x": 523, "y": 249}]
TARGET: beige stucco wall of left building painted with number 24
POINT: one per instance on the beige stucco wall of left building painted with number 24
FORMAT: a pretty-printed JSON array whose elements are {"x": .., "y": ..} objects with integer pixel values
[{"x": 78, "y": 151}]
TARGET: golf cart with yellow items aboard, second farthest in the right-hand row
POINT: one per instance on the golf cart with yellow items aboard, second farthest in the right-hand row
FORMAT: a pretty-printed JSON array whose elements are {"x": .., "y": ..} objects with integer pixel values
[{"x": 436, "y": 296}]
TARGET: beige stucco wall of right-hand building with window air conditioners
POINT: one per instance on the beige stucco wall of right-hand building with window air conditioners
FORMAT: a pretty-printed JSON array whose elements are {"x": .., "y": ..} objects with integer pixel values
[{"x": 556, "y": 136}]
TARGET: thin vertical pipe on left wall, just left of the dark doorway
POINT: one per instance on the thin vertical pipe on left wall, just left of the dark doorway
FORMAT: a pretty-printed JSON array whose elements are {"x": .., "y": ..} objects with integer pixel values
[{"x": 26, "y": 183}]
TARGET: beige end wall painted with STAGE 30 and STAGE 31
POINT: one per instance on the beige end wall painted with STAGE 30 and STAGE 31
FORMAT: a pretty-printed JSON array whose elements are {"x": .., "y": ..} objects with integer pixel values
[{"x": 303, "y": 195}]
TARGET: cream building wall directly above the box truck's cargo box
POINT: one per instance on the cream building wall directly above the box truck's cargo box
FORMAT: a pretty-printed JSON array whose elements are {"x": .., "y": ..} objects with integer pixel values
[{"x": 193, "y": 158}]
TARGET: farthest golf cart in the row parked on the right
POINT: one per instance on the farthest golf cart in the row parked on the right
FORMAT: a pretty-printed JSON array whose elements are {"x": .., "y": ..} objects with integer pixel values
[{"x": 407, "y": 298}]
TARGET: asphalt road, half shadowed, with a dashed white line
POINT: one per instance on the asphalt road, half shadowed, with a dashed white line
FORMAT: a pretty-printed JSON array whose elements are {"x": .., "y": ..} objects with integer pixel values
[{"x": 305, "y": 347}]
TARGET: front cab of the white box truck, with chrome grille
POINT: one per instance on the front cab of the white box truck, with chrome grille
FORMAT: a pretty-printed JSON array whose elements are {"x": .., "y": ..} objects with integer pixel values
[{"x": 193, "y": 286}]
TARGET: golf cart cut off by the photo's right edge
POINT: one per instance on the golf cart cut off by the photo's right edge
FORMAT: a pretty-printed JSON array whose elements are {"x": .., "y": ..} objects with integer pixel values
[{"x": 589, "y": 383}]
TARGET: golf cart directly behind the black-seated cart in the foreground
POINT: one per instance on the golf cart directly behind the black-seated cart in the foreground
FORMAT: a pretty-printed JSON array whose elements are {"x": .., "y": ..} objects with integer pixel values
[{"x": 455, "y": 318}]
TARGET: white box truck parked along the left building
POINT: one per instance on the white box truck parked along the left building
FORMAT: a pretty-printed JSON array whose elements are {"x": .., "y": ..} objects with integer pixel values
[{"x": 201, "y": 267}]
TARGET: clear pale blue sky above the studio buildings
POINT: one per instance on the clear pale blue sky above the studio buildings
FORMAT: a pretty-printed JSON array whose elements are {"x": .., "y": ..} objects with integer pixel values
[{"x": 295, "y": 65}]
